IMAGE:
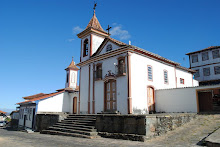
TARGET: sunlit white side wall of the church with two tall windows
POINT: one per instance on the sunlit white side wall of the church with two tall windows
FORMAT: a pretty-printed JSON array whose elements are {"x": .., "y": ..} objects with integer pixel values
[{"x": 140, "y": 82}]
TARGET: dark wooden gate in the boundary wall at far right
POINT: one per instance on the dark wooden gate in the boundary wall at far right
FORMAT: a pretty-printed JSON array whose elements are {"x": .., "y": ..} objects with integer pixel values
[{"x": 205, "y": 101}]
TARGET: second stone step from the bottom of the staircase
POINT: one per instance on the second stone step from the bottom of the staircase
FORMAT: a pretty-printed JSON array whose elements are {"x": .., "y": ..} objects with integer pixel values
[{"x": 73, "y": 131}]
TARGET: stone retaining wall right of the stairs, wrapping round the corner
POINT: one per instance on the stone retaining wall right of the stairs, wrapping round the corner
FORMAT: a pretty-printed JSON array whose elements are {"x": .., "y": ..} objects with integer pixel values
[{"x": 140, "y": 127}]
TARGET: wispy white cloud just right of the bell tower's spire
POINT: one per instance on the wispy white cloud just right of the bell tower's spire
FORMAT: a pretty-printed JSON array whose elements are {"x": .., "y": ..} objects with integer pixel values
[{"x": 119, "y": 32}]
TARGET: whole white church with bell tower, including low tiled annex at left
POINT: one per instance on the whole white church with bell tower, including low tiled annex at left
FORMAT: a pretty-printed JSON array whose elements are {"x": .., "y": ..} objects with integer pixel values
[{"x": 115, "y": 78}]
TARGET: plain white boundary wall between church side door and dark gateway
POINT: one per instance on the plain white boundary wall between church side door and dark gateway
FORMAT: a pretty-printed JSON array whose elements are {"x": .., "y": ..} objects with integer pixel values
[{"x": 179, "y": 99}]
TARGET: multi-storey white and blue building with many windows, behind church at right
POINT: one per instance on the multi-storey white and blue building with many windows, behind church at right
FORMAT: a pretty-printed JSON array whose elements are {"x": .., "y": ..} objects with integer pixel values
[{"x": 206, "y": 63}]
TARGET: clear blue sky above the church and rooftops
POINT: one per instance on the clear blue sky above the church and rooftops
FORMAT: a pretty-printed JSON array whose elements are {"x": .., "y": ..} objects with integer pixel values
[{"x": 38, "y": 37}]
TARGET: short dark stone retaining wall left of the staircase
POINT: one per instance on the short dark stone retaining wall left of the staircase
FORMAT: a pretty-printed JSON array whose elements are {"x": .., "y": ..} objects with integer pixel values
[{"x": 44, "y": 121}]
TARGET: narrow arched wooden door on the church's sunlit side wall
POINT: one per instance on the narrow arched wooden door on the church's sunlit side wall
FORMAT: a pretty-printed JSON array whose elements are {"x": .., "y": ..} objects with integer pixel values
[{"x": 150, "y": 99}]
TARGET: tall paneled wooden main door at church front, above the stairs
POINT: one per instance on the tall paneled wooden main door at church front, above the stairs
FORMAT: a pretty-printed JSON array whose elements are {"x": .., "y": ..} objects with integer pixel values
[{"x": 110, "y": 96}]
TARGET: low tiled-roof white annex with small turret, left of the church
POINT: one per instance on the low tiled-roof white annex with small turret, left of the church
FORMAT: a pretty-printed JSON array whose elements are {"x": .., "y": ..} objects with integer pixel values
[{"x": 62, "y": 101}]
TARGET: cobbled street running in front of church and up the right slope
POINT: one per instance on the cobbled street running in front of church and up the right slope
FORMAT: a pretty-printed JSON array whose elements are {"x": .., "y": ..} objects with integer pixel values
[{"x": 188, "y": 135}]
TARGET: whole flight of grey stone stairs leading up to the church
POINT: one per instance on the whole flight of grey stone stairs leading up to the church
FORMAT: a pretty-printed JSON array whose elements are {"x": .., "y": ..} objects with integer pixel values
[{"x": 76, "y": 126}]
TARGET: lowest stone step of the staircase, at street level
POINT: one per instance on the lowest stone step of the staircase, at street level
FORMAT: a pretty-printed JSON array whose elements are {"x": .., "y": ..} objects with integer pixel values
[{"x": 52, "y": 132}]
